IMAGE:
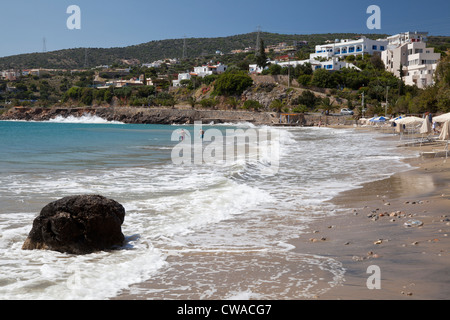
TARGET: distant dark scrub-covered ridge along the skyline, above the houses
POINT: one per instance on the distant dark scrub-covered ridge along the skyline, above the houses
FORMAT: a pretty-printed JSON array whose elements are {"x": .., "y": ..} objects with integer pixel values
[{"x": 155, "y": 50}]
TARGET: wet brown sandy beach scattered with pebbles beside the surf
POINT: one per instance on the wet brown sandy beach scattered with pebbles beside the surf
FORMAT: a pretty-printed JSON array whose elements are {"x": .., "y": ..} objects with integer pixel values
[{"x": 400, "y": 224}]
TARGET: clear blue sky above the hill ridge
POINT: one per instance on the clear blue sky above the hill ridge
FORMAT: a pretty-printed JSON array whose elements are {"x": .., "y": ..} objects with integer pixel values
[{"x": 112, "y": 23}]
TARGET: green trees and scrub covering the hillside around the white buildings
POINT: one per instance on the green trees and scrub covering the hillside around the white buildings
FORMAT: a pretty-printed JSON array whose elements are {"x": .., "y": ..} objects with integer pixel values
[{"x": 325, "y": 90}]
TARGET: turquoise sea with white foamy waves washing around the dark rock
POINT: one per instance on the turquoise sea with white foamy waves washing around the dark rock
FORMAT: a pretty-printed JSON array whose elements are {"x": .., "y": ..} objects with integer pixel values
[{"x": 193, "y": 230}]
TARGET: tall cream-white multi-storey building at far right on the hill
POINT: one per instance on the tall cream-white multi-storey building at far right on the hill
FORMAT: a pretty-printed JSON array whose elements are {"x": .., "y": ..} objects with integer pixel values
[{"x": 408, "y": 51}]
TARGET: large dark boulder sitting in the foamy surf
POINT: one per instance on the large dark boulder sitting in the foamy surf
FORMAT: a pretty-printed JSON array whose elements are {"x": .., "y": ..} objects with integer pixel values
[{"x": 78, "y": 225}]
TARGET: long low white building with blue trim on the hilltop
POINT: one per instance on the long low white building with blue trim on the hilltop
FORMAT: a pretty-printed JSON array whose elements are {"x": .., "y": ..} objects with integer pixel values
[{"x": 343, "y": 48}]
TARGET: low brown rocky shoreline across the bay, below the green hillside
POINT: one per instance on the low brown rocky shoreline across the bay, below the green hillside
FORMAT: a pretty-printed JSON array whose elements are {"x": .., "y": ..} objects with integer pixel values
[{"x": 178, "y": 116}]
